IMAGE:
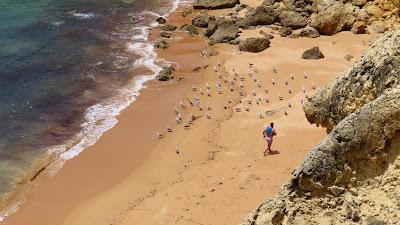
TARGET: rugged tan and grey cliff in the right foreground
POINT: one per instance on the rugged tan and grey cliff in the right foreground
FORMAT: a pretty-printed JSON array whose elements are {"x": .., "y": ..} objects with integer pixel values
[{"x": 352, "y": 176}]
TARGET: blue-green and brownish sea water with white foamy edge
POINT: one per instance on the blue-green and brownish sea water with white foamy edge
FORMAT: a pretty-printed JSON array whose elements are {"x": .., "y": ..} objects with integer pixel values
[{"x": 67, "y": 68}]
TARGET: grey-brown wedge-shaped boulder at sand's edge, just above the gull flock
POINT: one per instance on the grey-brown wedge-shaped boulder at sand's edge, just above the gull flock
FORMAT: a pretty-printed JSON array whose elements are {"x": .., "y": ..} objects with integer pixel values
[{"x": 227, "y": 30}]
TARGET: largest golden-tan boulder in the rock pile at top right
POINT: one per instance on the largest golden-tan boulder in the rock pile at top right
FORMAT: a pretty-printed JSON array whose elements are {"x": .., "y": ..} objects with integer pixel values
[{"x": 334, "y": 19}]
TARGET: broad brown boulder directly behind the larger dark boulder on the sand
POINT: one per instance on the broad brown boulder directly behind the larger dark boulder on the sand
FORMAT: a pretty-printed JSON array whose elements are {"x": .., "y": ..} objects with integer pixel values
[{"x": 260, "y": 16}]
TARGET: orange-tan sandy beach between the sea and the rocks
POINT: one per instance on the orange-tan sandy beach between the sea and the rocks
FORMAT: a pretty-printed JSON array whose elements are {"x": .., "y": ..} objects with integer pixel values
[{"x": 220, "y": 174}]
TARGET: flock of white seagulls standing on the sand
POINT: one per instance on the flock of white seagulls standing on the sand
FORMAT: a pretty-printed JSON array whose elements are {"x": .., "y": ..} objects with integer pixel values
[{"x": 235, "y": 84}]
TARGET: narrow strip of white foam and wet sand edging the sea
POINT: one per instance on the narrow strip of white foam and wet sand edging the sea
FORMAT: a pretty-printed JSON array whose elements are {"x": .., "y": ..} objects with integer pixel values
[{"x": 49, "y": 165}]
